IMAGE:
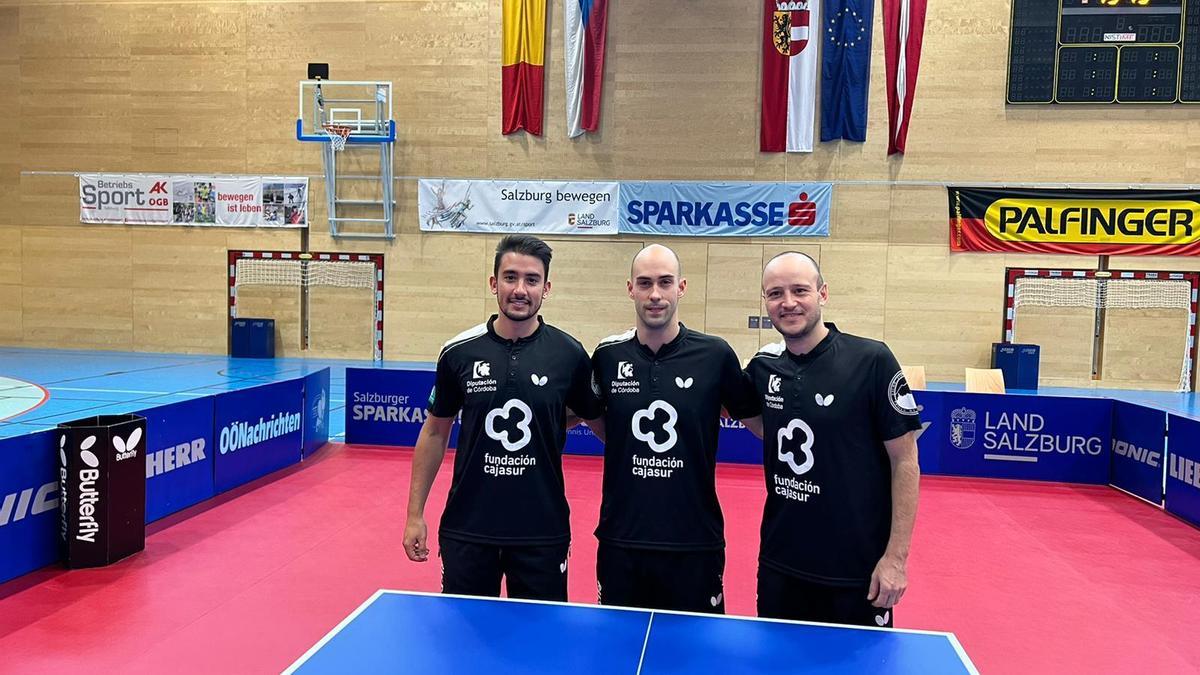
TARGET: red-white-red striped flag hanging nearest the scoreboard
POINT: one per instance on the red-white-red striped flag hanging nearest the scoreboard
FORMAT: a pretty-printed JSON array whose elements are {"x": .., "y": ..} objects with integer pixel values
[{"x": 904, "y": 25}]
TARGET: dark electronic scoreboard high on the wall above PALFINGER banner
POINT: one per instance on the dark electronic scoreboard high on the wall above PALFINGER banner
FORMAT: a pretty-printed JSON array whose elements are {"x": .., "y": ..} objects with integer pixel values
[{"x": 1105, "y": 52}]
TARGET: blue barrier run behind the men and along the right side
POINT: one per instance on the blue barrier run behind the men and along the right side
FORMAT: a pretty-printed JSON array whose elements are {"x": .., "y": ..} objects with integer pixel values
[{"x": 1015, "y": 437}]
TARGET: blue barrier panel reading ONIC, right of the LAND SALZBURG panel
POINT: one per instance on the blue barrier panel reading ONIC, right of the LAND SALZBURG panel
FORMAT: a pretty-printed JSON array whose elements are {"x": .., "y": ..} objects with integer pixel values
[{"x": 1139, "y": 458}]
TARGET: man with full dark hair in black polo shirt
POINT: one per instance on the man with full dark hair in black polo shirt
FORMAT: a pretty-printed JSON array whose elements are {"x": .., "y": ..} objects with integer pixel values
[{"x": 514, "y": 380}]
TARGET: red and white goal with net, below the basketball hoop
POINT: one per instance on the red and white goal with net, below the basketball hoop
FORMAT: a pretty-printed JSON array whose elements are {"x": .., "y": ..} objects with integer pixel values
[{"x": 308, "y": 270}]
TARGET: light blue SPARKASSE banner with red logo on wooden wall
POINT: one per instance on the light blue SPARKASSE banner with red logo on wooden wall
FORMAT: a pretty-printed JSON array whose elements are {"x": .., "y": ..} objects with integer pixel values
[{"x": 727, "y": 210}]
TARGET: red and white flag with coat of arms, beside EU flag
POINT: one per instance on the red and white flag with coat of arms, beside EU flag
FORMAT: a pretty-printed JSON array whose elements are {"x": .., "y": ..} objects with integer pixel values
[{"x": 789, "y": 75}]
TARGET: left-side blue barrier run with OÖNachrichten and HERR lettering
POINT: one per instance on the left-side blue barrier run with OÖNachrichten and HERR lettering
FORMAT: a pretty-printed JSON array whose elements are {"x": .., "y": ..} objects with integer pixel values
[{"x": 194, "y": 451}]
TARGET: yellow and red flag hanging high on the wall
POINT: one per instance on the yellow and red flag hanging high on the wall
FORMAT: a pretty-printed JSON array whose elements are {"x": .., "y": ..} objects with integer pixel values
[{"x": 524, "y": 55}]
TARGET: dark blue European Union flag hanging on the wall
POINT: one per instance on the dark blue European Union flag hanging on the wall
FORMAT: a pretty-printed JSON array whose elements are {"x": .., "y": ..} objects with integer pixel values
[{"x": 845, "y": 69}]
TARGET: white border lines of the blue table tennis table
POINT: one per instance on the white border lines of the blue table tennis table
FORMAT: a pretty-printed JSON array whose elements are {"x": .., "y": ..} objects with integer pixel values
[{"x": 955, "y": 642}]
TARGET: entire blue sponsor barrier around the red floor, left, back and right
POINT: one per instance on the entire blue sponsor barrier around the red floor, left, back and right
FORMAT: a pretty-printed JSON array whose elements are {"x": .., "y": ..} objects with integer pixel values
[{"x": 196, "y": 450}]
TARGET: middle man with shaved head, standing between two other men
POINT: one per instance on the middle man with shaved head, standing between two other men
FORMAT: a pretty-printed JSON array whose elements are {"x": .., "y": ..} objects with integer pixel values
[{"x": 662, "y": 533}]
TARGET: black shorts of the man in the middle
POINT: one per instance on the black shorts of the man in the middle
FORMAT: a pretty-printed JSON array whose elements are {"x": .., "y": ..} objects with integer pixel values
[{"x": 655, "y": 580}]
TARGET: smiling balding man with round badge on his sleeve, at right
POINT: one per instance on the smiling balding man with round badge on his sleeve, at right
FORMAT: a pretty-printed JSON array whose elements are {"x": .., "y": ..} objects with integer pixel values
[{"x": 841, "y": 457}]
